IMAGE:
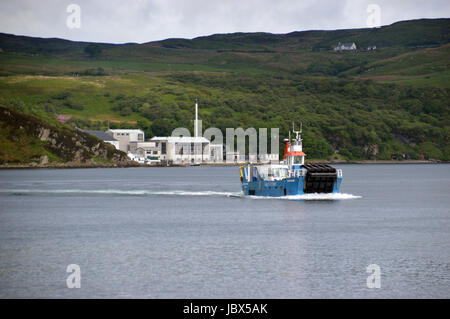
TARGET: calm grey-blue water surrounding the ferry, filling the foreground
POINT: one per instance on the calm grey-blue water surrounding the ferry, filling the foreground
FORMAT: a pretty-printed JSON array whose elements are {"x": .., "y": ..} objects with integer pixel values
[{"x": 187, "y": 233}]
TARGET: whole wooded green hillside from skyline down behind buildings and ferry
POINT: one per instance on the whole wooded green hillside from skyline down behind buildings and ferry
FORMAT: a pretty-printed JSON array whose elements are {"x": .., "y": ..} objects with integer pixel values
[{"x": 379, "y": 104}]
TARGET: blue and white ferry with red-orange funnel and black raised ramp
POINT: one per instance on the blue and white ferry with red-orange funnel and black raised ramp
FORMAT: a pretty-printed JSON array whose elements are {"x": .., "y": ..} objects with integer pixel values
[{"x": 292, "y": 177}]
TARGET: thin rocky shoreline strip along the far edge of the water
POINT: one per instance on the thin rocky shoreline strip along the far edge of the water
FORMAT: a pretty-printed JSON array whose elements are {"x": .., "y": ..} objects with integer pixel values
[{"x": 104, "y": 165}]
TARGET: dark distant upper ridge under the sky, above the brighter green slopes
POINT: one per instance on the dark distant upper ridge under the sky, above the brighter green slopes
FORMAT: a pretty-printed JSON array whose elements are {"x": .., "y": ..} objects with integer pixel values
[{"x": 237, "y": 52}]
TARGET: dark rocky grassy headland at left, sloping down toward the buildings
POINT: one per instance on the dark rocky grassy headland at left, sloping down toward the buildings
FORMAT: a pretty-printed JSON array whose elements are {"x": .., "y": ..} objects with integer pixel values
[{"x": 26, "y": 139}]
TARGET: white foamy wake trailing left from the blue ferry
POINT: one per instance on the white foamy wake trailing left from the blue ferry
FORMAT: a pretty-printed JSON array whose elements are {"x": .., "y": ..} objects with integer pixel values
[{"x": 116, "y": 192}]
